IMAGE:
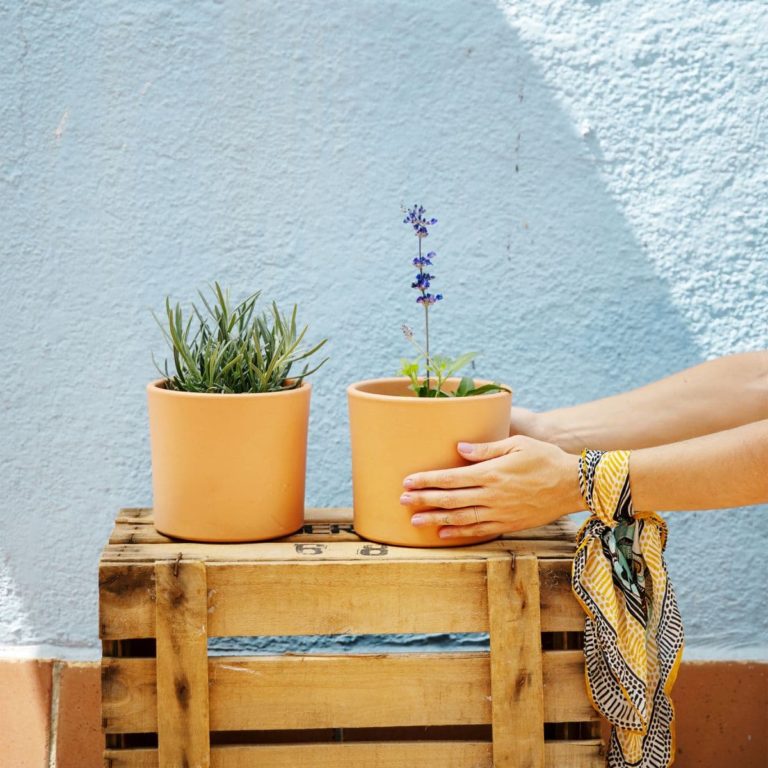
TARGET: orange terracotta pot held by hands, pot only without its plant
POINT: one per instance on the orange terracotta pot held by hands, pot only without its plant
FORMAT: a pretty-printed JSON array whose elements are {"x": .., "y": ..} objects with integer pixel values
[{"x": 395, "y": 433}]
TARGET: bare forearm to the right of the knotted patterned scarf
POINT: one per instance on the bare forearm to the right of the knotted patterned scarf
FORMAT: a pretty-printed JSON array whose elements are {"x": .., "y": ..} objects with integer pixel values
[{"x": 725, "y": 469}]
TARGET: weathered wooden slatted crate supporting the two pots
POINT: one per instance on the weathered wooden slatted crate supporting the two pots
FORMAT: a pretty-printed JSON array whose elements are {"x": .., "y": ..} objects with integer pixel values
[{"x": 167, "y": 702}]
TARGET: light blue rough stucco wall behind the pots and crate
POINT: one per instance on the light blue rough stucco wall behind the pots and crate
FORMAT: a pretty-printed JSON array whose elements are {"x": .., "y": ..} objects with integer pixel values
[{"x": 598, "y": 170}]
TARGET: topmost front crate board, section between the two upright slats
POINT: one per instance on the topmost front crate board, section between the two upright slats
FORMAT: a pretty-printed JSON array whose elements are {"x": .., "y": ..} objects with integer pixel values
[{"x": 347, "y": 598}]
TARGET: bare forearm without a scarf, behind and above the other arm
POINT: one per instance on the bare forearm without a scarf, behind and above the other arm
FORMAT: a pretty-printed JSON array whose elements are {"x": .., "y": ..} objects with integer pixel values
[{"x": 714, "y": 396}]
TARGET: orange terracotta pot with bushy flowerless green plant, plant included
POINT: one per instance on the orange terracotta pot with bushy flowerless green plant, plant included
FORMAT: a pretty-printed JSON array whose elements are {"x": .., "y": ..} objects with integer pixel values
[{"x": 229, "y": 429}]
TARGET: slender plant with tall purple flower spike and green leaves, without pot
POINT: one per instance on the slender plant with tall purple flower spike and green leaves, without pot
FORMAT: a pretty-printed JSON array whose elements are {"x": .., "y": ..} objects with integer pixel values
[{"x": 438, "y": 366}]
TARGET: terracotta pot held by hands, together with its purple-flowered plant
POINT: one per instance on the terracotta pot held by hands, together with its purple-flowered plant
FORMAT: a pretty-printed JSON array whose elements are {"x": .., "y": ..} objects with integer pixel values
[{"x": 413, "y": 423}]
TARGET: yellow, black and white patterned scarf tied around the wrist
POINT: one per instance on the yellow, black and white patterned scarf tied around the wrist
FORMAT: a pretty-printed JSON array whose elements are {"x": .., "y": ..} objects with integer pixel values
[{"x": 633, "y": 638}]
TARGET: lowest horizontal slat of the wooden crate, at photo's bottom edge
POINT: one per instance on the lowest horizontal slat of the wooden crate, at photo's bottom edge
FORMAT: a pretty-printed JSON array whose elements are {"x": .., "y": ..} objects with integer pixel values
[{"x": 451, "y": 754}]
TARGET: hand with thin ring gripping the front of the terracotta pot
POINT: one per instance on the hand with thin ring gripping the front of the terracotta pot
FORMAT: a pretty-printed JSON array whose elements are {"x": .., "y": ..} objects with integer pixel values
[{"x": 516, "y": 483}]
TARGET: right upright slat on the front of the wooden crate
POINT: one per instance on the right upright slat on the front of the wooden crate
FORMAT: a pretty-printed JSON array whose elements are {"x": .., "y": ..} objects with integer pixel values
[{"x": 516, "y": 663}]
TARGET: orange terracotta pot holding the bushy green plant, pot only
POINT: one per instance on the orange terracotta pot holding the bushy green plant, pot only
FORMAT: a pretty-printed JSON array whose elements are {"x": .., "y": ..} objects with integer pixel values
[{"x": 228, "y": 467}]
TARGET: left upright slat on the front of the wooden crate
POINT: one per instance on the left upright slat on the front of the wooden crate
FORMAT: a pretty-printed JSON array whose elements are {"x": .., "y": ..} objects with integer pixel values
[{"x": 182, "y": 665}]
